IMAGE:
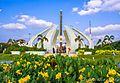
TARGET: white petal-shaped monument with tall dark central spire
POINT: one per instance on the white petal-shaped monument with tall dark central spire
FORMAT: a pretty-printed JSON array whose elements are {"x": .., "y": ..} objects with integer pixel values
[{"x": 55, "y": 37}]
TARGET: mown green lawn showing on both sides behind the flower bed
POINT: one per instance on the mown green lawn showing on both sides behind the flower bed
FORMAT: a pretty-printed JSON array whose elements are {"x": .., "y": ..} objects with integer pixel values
[{"x": 10, "y": 57}]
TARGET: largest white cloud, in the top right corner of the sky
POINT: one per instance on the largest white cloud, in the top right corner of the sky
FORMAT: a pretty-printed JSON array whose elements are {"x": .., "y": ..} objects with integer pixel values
[{"x": 95, "y": 6}]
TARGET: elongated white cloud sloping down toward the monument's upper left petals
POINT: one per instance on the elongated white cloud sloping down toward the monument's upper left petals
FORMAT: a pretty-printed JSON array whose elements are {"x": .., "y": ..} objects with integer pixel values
[{"x": 33, "y": 21}]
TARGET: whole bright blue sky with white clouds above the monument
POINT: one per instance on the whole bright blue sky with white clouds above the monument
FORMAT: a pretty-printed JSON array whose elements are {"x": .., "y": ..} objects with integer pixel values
[{"x": 20, "y": 17}]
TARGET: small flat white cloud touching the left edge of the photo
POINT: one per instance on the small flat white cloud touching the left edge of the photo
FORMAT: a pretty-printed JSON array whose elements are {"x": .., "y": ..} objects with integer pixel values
[{"x": 13, "y": 26}]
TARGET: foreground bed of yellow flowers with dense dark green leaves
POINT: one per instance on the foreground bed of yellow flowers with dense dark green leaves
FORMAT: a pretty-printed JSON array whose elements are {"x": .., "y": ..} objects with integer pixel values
[{"x": 54, "y": 69}]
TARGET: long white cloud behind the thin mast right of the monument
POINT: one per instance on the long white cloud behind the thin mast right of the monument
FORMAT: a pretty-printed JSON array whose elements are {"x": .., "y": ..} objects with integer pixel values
[{"x": 104, "y": 29}]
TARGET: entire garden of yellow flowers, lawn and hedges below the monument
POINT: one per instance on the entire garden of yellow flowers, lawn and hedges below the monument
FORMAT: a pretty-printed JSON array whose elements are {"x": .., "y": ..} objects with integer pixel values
[{"x": 102, "y": 66}]
